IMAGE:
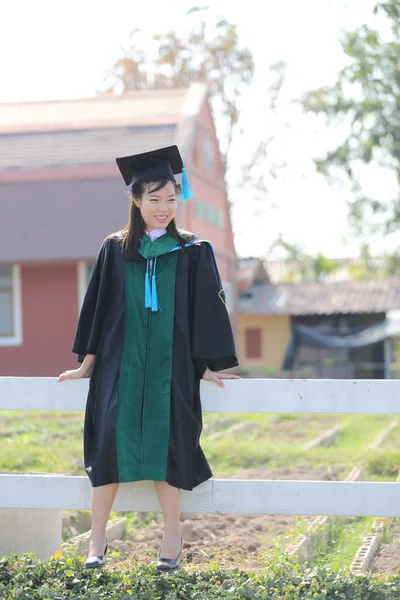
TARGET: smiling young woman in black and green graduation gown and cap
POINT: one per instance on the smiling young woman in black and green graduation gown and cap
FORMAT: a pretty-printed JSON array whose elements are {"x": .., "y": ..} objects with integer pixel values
[{"x": 152, "y": 324}]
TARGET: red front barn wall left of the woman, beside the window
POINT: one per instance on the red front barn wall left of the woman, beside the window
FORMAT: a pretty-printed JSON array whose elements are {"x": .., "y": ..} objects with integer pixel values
[{"x": 49, "y": 318}]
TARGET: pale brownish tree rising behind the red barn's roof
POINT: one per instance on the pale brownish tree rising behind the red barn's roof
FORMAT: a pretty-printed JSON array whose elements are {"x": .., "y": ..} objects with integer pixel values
[{"x": 209, "y": 53}]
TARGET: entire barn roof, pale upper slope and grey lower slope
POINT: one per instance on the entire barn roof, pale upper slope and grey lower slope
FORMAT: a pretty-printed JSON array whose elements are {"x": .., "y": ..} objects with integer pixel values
[{"x": 61, "y": 192}]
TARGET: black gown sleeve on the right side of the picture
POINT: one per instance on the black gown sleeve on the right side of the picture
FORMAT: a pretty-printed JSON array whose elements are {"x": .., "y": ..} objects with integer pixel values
[{"x": 212, "y": 338}]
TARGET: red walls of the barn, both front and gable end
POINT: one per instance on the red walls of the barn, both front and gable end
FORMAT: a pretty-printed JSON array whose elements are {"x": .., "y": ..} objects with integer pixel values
[{"x": 49, "y": 293}]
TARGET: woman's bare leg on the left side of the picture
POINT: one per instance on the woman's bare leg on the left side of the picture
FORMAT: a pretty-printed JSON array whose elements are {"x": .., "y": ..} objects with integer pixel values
[{"x": 102, "y": 501}]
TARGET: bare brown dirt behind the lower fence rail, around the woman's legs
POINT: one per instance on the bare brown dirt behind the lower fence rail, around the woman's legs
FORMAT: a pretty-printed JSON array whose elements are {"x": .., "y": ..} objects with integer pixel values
[{"x": 230, "y": 540}]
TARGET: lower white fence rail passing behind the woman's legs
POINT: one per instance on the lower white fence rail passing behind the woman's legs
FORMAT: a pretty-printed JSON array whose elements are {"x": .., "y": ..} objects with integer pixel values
[{"x": 224, "y": 496}]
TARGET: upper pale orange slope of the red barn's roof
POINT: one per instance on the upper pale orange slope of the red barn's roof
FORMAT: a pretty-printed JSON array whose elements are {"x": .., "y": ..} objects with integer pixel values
[{"x": 37, "y": 135}]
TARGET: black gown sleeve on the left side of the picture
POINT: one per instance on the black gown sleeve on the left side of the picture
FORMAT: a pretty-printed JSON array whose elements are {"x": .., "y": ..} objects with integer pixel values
[{"x": 95, "y": 303}]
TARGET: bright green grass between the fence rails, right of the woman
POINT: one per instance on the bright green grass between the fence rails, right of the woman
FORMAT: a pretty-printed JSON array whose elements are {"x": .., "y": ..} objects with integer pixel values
[{"x": 275, "y": 444}]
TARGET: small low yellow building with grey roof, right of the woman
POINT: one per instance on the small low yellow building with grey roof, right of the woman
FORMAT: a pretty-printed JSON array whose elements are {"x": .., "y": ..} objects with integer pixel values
[{"x": 346, "y": 329}]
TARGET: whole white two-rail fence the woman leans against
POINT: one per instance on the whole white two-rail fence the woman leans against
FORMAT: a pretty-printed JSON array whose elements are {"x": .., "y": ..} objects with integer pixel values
[{"x": 55, "y": 491}]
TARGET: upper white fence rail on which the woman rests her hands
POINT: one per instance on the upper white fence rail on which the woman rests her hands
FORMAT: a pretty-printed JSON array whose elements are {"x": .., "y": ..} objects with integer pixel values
[{"x": 340, "y": 396}]
